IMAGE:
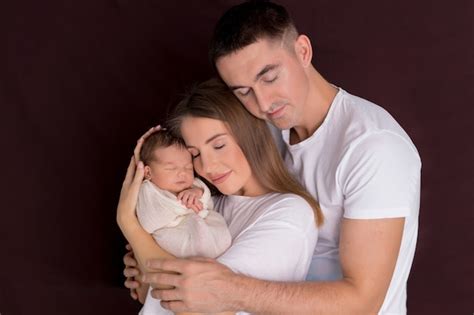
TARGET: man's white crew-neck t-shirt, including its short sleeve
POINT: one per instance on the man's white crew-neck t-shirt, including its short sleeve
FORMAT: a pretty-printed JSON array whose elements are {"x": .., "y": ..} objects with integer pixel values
[{"x": 359, "y": 164}]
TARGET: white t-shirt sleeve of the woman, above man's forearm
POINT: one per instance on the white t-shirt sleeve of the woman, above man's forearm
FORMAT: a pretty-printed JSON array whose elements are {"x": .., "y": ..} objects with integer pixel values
[{"x": 278, "y": 246}]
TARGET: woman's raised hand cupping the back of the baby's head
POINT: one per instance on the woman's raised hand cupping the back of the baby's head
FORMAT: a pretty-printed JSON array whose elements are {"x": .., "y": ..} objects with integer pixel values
[{"x": 129, "y": 193}]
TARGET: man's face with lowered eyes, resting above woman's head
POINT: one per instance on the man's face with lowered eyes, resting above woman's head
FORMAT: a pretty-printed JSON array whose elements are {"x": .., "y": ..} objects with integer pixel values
[{"x": 270, "y": 81}]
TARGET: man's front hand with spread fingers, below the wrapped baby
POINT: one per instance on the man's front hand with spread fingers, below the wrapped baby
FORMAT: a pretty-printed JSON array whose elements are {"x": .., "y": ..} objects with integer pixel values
[{"x": 200, "y": 285}]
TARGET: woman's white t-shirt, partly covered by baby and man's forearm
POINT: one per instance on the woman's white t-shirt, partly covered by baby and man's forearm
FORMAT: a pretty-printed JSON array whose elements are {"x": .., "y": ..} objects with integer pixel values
[{"x": 273, "y": 238}]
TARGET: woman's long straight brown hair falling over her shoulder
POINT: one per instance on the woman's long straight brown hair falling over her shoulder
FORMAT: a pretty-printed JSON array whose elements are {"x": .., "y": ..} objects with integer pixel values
[{"x": 213, "y": 99}]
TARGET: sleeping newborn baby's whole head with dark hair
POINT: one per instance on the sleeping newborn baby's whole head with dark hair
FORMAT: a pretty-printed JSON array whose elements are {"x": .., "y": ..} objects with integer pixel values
[{"x": 168, "y": 163}]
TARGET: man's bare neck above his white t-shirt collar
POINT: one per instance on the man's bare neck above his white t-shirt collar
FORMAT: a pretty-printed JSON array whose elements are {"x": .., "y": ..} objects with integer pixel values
[{"x": 320, "y": 97}]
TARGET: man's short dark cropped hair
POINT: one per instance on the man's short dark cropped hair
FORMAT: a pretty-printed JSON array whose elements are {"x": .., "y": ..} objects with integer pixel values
[{"x": 246, "y": 23}]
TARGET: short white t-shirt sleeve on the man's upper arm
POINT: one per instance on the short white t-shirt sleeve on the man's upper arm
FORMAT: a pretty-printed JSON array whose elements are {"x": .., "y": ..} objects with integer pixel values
[{"x": 380, "y": 177}]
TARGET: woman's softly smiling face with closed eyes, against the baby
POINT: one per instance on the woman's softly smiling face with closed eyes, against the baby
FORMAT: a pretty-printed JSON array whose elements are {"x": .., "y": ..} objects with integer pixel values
[{"x": 218, "y": 158}]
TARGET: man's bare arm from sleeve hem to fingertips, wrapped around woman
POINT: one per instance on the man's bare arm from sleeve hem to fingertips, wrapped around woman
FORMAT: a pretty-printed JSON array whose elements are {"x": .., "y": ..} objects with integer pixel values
[{"x": 368, "y": 253}]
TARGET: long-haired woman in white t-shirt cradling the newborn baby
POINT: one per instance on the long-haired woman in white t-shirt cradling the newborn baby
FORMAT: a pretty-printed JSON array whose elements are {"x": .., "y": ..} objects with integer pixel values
[{"x": 270, "y": 216}]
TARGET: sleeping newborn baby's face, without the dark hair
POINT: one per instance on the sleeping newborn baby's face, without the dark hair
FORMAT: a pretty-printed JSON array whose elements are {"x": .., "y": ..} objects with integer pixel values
[{"x": 172, "y": 169}]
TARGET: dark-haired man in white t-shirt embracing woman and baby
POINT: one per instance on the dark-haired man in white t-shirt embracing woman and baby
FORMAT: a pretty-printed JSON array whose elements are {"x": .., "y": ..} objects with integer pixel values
[{"x": 349, "y": 153}]
